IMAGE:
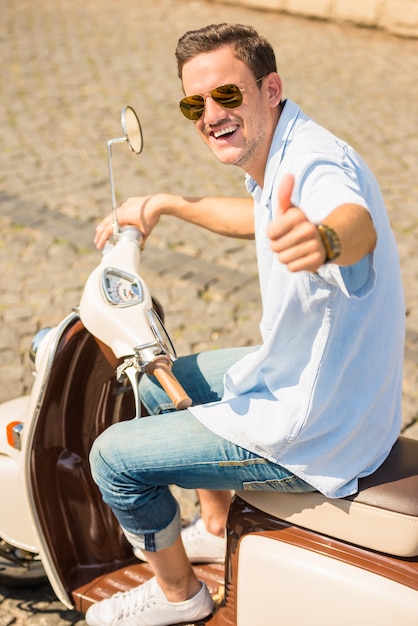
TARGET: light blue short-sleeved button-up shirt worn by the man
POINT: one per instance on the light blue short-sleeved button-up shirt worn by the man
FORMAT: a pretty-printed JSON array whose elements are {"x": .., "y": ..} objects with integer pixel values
[{"x": 322, "y": 395}]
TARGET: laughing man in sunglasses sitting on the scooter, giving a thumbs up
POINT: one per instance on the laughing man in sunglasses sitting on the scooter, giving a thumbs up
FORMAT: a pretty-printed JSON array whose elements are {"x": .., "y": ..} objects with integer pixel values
[{"x": 318, "y": 404}]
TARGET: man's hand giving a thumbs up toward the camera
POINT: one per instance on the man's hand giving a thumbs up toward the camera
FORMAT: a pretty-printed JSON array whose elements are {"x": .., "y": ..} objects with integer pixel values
[{"x": 292, "y": 236}]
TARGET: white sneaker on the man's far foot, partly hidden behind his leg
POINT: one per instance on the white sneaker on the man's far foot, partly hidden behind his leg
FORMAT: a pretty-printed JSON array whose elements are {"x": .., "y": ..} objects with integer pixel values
[{"x": 200, "y": 545}]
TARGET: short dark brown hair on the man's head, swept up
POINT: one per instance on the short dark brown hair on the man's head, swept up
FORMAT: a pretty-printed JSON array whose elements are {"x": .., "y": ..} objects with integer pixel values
[{"x": 249, "y": 46}]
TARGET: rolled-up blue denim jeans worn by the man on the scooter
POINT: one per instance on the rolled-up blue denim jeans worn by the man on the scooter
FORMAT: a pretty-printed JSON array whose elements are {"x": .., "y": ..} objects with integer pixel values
[{"x": 134, "y": 462}]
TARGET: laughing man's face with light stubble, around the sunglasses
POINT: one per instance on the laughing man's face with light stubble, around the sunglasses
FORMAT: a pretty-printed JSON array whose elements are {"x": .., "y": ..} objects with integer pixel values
[{"x": 240, "y": 136}]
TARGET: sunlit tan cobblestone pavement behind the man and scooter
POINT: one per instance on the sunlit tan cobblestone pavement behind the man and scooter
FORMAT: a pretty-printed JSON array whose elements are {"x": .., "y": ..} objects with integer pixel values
[{"x": 68, "y": 68}]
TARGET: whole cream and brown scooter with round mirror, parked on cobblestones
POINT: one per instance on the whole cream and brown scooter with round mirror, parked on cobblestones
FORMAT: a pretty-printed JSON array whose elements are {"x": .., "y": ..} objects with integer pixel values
[{"x": 291, "y": 559}]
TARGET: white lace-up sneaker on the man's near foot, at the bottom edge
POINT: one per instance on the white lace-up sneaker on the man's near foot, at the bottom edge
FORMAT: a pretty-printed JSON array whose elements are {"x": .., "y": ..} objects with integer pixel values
[{"x": 147, "y": 605}]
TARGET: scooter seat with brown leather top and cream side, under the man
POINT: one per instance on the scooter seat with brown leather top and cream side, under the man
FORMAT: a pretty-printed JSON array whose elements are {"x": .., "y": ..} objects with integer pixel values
[{"x": 382, "y": 516}]
